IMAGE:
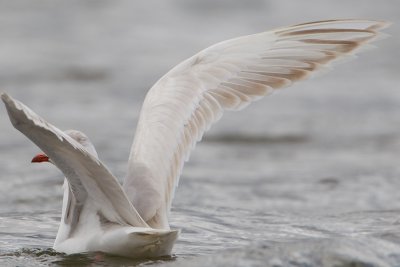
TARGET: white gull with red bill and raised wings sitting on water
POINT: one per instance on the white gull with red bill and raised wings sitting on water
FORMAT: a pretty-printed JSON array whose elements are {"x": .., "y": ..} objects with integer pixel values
[{"x": 131, "y": 220}]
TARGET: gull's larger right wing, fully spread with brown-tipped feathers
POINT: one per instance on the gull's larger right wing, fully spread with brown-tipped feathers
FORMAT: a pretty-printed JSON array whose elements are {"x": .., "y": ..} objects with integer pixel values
[{"x": 184, "y": 103}]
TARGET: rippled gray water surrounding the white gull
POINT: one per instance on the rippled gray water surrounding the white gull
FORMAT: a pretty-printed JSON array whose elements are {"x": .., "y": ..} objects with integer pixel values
[{"x": 307, "y": 177}]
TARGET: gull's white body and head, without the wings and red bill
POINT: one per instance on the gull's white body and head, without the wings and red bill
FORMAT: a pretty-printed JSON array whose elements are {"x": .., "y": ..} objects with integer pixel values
[{"x": 84, "y": 227}]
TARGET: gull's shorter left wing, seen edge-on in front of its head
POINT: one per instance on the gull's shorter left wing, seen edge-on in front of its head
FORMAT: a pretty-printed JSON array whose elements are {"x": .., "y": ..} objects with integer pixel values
[{"x": 87, "y": 175}]
